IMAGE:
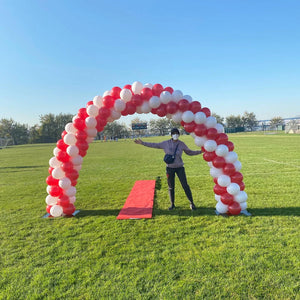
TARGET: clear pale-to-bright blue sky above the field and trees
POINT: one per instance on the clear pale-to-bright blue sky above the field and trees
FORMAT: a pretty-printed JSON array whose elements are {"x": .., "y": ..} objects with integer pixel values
[{"x": 230, "y": 55}]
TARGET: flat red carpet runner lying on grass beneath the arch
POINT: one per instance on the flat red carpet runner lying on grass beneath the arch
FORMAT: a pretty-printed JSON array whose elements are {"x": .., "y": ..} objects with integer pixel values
[{"x": 139, "y": 204}]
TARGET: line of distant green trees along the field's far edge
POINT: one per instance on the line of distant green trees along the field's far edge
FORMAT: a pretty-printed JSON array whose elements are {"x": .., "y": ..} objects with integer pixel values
[{"x": 51, "y": 126}]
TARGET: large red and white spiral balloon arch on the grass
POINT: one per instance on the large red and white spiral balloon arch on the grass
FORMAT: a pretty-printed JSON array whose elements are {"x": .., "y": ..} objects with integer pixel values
[{"x": 197, "y": 120}]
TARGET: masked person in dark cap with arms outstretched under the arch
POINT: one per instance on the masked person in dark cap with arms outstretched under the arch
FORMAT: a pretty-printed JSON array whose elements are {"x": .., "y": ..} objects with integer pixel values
[{"x": 176, "y": 167}]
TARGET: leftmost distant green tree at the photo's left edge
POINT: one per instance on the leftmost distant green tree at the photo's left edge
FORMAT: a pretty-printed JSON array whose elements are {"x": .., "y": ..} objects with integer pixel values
[{"x": 11, "y": 129}]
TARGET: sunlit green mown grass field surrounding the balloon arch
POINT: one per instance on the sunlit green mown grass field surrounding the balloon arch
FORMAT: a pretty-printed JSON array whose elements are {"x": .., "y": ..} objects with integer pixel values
[{"x": 181, "y": 254}]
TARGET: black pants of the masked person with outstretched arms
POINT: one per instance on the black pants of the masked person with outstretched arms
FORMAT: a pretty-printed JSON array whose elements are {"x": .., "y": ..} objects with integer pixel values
[{"x": 182, "y": 178}]
